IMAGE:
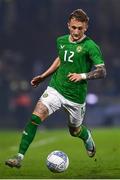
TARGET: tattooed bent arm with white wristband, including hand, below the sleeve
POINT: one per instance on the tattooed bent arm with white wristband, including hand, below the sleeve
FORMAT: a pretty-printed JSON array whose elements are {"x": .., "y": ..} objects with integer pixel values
[{"x": 97, "y": 73}]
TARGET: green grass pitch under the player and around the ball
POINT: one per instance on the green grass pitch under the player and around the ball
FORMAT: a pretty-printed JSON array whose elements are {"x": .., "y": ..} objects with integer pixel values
[{"x": 106, "y": 164}]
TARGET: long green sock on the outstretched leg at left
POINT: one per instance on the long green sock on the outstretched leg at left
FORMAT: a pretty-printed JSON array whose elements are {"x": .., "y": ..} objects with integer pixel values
[{"x": 29, "y": 133}]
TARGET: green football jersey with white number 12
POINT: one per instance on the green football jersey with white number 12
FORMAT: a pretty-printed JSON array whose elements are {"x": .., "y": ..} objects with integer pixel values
[{"x": 75, "y": 57}]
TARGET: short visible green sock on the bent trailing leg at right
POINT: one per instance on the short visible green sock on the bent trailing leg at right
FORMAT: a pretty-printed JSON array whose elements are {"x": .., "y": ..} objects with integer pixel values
[{"x": 83, "y": 134}]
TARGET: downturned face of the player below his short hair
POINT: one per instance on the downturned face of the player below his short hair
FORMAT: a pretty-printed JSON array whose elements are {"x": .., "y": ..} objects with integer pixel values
[{"x": 77, "y": 29}]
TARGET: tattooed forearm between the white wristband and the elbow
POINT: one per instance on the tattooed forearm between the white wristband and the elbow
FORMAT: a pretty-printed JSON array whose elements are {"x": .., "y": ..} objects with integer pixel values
[{"x": 99, "y": 72}]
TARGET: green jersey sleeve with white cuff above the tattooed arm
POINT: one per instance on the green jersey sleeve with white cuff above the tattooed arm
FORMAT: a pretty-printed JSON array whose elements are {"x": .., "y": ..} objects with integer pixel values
[{"x": 95, "y": 55}]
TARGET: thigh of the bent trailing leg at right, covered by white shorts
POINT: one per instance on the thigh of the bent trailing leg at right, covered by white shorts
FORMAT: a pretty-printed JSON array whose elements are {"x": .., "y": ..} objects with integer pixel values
[{"x": 76, "y": 114}]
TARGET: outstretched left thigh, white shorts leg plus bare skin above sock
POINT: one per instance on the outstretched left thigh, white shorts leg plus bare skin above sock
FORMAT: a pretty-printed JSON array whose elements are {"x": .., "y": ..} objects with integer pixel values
[{"x": 48, "y": 103}]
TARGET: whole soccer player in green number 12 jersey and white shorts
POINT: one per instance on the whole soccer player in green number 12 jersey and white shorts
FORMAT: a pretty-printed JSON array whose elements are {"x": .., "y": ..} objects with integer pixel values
[{"x": 79, "y": 60}]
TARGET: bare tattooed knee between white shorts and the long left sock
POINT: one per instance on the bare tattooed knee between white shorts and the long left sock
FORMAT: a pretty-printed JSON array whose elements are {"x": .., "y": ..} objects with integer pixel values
[{"x": 41, "y": 110}]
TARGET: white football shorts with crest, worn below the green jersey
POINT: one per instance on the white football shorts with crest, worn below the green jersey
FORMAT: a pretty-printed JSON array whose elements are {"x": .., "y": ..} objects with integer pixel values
[{"x": 53, "y": 100}]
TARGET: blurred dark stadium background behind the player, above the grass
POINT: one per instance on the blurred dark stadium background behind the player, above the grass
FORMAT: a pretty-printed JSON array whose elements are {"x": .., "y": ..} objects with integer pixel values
[{"x": 28, "y": 32}]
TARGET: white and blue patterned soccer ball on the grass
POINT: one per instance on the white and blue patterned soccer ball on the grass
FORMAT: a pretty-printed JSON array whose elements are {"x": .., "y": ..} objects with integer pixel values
[{"x": 57, "y": 161}]
